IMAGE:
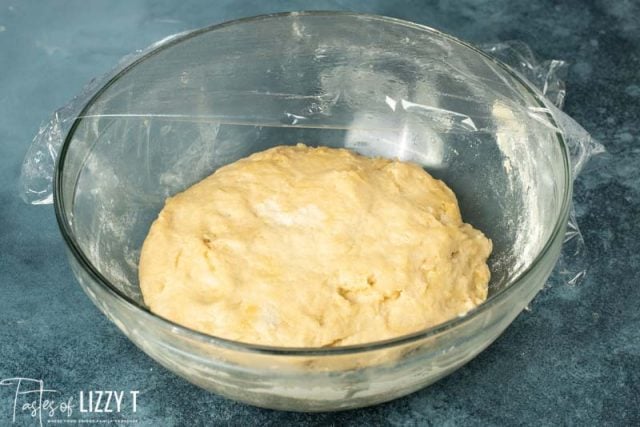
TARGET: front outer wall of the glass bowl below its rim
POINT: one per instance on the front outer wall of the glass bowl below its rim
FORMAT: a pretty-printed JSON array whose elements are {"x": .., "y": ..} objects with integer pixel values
[{"x": 314, "y": 382}]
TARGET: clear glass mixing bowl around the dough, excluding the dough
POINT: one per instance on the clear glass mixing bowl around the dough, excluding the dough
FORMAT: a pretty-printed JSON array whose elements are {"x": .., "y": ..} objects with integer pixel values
[{"x": 380, "y": 86}]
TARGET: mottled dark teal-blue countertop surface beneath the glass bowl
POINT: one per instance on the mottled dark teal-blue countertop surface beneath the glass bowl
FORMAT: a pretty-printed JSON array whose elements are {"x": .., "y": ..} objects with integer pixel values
[{"x": 573, "y": 359}]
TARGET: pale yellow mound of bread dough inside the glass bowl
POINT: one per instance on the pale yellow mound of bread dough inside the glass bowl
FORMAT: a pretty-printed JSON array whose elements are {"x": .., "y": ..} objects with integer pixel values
[{"x": 313, "y": 247}]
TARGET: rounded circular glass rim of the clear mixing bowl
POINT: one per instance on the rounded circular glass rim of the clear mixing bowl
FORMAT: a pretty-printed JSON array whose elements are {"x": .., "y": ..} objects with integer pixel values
[{"x": 516, "y": 283}]
